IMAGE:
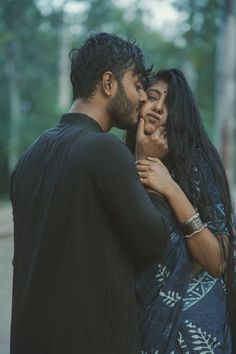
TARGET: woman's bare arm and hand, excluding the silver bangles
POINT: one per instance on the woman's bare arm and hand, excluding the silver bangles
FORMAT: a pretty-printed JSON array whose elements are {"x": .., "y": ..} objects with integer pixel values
[{"x": 204, "y": 246}]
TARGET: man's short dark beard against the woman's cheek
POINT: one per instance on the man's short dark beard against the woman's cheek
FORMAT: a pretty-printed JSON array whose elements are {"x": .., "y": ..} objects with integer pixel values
[{"x": 122, "y": 110}]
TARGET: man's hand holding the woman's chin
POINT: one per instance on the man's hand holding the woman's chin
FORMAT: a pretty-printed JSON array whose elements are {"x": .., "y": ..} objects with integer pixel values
[{"x": 152, "y": 145}]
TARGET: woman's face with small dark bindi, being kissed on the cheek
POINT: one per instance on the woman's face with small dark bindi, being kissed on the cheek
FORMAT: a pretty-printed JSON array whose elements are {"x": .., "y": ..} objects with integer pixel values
[{"x": 154, "y": 111}]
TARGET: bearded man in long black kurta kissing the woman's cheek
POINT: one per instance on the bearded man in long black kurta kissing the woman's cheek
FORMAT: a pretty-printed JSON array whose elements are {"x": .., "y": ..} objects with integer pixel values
[{"x": 82, "y": 218}]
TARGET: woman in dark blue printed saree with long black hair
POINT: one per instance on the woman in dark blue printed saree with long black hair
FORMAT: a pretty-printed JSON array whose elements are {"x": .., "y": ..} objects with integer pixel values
[{"x": 183, "y": 302}]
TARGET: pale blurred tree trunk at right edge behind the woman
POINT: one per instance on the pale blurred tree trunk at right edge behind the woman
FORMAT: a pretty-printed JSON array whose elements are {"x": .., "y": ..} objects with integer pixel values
[{"x": 225, "y": 100}]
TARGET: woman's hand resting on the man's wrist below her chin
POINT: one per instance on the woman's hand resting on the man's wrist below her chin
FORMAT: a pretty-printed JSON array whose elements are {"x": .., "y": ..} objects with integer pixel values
[{"x": 155, "y": 176}]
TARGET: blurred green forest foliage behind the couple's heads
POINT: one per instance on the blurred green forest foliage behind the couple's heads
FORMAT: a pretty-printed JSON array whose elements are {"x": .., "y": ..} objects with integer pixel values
[{"x": 30, "y": 41}]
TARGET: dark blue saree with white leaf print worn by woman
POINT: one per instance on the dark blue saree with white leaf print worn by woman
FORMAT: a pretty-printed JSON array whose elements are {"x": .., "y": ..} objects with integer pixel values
[{"x": 178, "y": 314}]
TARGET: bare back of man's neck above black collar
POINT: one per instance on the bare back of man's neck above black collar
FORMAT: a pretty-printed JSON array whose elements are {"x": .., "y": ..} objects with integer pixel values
[{"x": 93, "y": 110}]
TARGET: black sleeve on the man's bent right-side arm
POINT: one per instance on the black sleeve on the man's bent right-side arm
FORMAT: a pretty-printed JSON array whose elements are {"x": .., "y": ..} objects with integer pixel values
[{"x": 143, "y": 225}]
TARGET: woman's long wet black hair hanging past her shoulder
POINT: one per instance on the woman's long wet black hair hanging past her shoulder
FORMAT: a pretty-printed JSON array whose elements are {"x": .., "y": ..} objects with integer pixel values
[{"x": 185, "y": 134}]
